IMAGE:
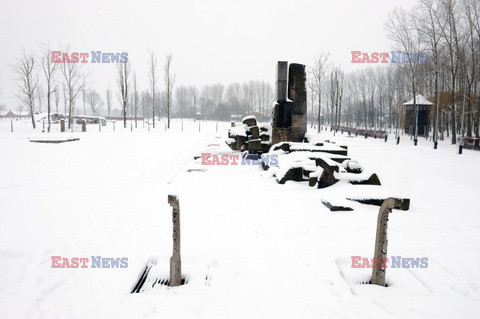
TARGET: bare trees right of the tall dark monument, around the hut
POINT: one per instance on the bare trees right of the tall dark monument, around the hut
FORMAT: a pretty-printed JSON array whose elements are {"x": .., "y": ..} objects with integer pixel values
[{"x": 448, "y": 33}]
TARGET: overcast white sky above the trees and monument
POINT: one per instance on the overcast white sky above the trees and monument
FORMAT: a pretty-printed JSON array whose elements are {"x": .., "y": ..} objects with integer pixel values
[{"x": 211, "y": 41}]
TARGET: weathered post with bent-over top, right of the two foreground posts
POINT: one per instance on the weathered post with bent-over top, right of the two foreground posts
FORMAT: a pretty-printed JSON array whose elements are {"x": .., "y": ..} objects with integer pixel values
[{"x": 381, "y": 241}]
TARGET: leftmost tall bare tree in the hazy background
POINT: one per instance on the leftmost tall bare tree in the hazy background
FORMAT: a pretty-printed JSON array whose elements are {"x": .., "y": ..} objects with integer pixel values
[{"x": 27, "y": 80}]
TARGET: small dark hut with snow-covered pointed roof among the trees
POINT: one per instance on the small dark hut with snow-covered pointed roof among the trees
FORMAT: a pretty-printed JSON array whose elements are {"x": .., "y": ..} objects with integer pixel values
[{"x": 423, "y": 106}]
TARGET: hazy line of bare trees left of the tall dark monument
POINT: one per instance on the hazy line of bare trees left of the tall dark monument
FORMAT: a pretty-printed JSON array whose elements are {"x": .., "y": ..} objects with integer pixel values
[{"x": 162, "y": 97}]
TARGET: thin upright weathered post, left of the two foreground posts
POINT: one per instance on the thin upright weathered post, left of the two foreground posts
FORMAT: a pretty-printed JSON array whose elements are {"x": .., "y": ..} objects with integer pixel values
[{"x": 175, "y": 261}]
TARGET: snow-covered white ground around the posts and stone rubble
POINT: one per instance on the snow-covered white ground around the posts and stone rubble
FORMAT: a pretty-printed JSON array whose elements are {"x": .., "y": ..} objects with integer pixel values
[{"x": 251, "y": 248}]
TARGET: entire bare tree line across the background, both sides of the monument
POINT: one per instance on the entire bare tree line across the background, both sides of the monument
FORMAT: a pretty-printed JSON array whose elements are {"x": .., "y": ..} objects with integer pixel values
[{"x": 446, "y": 31}]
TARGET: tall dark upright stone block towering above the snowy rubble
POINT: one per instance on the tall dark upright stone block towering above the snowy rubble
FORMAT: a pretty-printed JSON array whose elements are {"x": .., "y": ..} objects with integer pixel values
[{"x": 290, "y": 114}]
